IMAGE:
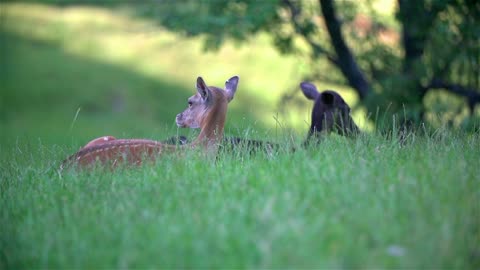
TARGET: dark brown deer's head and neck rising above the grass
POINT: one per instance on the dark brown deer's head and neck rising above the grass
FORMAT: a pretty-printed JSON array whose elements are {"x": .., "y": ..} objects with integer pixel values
[{"x": 330, "y": 113}]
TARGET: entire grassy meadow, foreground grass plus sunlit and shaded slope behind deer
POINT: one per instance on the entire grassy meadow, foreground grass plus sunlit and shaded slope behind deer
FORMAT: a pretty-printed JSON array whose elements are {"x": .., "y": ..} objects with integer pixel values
[{"x": 70, "y": 74}]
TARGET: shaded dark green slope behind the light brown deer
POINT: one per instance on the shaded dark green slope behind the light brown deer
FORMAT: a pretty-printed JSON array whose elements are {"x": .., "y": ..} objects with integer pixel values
[{"x": 60, "y": 98}]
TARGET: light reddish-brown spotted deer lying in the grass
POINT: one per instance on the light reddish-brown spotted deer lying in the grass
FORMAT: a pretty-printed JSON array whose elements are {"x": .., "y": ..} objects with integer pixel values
[{"x": 207, "y": 110}]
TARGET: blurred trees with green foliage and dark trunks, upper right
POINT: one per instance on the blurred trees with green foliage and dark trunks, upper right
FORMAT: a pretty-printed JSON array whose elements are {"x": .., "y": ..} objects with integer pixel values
[{"x": 422, "y": 63}]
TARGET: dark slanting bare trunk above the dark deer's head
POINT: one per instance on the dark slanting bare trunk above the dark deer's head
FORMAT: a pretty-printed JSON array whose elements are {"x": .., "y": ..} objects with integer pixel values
[{"x": 346, "y": 61}]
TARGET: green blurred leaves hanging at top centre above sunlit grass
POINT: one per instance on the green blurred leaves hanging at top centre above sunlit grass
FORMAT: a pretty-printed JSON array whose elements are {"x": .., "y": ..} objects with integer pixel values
[{"x": 217, "y": 19}]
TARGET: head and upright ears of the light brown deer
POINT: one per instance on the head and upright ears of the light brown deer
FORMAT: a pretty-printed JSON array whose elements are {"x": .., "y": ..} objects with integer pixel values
[{"x": 207, "y": 103}]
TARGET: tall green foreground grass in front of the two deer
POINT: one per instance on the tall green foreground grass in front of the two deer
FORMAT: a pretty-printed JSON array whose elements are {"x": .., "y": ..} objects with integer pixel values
[{"x": 343, "y": 204}]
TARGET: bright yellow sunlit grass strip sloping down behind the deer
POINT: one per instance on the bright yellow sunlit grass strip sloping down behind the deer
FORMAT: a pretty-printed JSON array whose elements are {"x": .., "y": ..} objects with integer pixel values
[{"x": 141, "y": 46}]
